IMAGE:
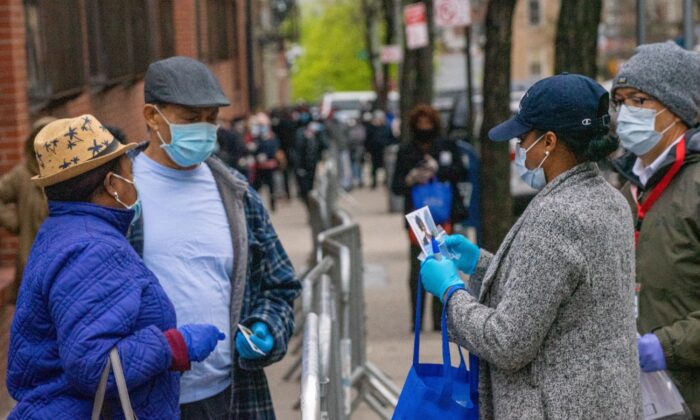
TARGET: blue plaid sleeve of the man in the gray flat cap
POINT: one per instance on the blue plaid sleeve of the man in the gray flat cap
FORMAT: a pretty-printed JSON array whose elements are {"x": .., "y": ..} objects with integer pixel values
[{"x": 272, "y": 284}]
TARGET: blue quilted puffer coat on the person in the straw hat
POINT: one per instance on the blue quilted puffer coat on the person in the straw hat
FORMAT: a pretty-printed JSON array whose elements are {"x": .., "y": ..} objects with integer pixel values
[{"x": 85, "y": 291}]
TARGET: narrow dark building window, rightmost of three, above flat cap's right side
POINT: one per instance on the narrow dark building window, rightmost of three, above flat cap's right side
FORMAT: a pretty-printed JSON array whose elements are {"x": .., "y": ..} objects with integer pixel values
[{"x": 220, "y": 27}]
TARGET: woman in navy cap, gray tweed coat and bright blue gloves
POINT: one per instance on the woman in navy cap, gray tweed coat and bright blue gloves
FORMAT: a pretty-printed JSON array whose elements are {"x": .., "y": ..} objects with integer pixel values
[{"x": 550, "y": 314}]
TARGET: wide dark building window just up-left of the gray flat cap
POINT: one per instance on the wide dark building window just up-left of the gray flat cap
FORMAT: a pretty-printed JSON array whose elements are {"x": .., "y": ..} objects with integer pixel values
[{"x": 122, "y": 52}]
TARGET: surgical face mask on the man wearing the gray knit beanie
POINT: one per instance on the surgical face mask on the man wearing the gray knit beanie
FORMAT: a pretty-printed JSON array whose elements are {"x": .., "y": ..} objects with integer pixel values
[{"x": 636, "y": 128}]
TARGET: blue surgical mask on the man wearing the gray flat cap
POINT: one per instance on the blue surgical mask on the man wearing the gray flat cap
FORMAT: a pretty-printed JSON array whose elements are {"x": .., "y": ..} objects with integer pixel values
[{"x": 190, "y": 144}]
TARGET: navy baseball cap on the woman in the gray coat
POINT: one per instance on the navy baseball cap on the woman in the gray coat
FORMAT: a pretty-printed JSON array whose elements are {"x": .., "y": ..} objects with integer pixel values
[{"x": 565, "y": 103}]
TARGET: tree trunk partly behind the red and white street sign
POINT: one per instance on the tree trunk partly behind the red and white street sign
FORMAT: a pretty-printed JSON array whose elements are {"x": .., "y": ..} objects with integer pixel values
[{"x": 416, "y": 73}]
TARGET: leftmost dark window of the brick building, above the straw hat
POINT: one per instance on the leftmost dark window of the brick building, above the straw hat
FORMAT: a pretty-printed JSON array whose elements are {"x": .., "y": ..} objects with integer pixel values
[{"x": 54, "y": 43}]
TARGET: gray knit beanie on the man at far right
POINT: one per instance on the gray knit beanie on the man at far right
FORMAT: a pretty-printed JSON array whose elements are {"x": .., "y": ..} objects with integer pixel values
[{"x": 668, "y": 73}]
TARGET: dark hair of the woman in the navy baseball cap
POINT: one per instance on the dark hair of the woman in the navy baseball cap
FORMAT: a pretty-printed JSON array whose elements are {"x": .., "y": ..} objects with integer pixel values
[{"x": 595, "y": 146}]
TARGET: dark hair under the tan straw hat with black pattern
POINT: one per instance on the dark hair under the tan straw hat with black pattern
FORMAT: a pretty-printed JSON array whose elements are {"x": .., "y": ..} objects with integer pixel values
[{"x": 84, "y": 186}]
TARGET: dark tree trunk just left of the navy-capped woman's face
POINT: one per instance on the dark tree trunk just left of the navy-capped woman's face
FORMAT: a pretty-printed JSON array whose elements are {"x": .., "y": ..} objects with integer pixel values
[{"x": 496, "y": 201}]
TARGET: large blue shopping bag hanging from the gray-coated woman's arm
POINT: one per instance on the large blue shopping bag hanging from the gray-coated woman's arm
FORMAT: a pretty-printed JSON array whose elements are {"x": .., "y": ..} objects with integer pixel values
[{"x": 434, "y": 391}]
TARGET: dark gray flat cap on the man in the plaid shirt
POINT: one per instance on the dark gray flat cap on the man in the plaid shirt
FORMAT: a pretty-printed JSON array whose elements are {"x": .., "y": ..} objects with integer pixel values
[{"x": 183, "y": 81}]
